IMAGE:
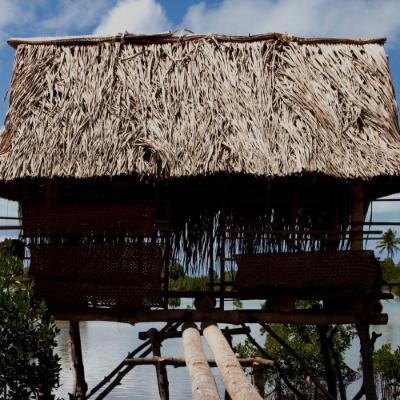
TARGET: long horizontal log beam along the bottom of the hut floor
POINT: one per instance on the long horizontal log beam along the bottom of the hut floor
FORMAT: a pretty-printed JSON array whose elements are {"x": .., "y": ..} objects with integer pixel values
[{"x": 235, "y": 317}]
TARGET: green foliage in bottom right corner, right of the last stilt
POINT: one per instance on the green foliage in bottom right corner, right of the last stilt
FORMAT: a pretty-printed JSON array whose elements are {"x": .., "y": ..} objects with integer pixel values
[{"x": 387, "y": 371}]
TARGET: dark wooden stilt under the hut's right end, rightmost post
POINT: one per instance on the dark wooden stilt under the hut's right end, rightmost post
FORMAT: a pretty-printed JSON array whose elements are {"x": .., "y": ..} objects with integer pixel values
[{"x": 367, "y": 350}]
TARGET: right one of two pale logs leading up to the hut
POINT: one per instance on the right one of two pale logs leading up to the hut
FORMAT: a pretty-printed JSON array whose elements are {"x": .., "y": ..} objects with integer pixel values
[{"x": 232, "y": 373}]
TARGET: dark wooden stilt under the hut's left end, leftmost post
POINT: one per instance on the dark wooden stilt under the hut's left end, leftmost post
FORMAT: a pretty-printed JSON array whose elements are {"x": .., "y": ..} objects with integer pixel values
[{"x": 80, "y": 385}]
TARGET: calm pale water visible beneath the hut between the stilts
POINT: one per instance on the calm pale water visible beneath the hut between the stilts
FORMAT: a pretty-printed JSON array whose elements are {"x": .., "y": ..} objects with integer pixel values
[{"x": 105, "y": 344}]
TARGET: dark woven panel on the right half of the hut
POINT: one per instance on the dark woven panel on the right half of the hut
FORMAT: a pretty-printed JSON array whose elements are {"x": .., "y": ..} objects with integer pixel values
[{"x": 357, "y": 270}]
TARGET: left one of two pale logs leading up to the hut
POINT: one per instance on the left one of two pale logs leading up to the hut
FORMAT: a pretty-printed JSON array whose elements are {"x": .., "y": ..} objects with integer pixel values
[{"x": 203, "y": 382}]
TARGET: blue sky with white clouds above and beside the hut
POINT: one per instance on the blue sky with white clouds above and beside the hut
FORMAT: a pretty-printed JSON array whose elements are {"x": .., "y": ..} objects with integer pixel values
[{"x": 335, "y": 18}]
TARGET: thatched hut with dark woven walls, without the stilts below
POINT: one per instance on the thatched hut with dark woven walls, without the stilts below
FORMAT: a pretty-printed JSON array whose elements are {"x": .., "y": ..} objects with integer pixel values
[{"x": 249, "y": 159}]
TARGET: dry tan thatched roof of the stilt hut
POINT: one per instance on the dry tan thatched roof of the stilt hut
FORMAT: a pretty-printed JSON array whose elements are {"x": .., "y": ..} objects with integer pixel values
[{"x": 166, "y": 106}]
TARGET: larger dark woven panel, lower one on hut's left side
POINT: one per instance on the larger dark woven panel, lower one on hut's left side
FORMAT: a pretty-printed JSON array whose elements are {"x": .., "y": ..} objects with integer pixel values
[{"x": 118, "y": 275}]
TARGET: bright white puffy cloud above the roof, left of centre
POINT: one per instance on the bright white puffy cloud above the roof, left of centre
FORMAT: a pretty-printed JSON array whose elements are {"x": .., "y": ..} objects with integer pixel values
[{"x": 134, "y": 16}]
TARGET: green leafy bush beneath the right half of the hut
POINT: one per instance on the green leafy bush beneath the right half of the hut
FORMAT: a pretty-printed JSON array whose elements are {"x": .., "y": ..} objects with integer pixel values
[{"x": 306, "y": 341}]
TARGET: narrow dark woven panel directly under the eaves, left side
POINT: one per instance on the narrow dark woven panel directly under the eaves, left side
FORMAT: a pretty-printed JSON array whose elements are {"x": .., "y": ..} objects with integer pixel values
[{"x": 61, "y": 219}]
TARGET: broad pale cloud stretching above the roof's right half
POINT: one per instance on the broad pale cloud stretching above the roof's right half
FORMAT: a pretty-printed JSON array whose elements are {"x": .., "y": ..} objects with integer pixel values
[{"x": 306, "y": 17}]
